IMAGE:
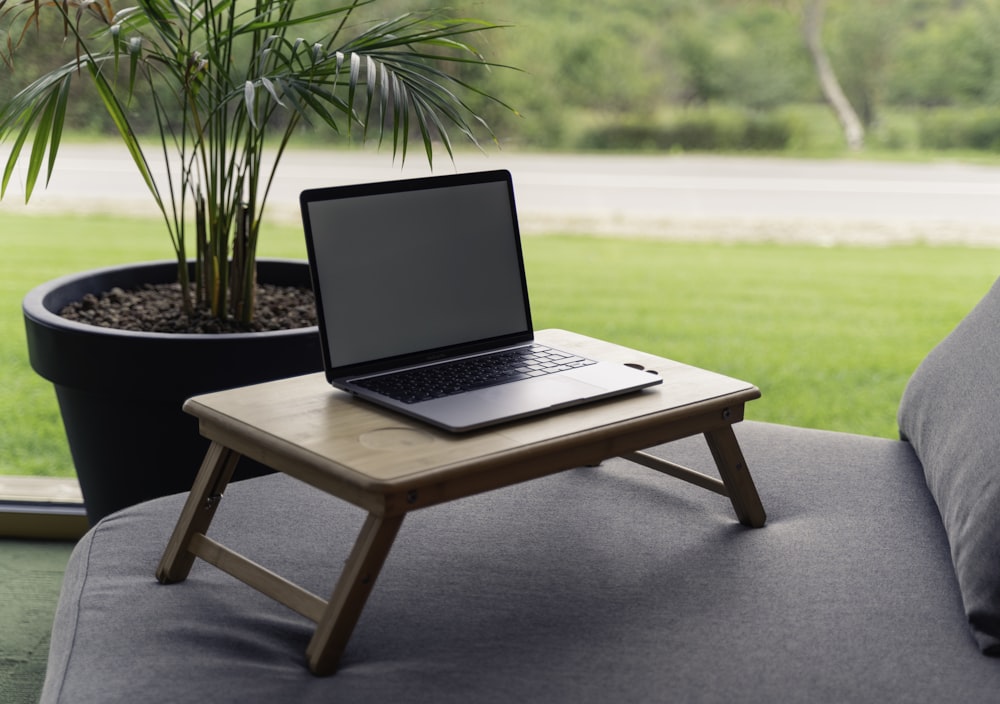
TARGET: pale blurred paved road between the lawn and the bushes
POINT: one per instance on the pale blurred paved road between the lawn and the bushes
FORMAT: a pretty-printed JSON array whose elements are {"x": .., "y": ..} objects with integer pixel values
[{"x": 722, "y": 198}]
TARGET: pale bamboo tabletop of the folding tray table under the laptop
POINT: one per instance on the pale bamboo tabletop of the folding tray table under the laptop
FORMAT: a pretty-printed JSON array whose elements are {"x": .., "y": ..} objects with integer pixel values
[{"x": 303, "y": 427}]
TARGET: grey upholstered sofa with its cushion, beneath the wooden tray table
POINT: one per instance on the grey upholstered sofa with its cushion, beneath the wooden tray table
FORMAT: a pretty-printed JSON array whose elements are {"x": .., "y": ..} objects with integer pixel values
[{"x": 876, "y": 578}]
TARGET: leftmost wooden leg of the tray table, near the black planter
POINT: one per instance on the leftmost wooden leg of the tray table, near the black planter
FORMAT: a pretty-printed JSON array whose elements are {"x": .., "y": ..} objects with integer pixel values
[{"x": 213, "y": 477}]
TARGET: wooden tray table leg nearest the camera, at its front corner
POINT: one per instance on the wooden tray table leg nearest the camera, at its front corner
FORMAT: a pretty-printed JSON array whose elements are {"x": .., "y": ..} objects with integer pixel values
[{"x": 349, "y": 596}]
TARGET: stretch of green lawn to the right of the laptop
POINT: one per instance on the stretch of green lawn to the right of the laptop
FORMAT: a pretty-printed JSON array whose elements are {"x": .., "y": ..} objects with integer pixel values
[{"x": 830, "y": 335}]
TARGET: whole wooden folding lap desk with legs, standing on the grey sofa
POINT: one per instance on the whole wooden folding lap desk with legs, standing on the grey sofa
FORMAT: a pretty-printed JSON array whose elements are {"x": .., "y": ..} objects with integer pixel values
[{"x": 389, "y": 465}]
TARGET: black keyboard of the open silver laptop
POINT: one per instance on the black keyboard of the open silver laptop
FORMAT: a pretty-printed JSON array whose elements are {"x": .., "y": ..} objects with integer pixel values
[{"x": 449, "y": 378}]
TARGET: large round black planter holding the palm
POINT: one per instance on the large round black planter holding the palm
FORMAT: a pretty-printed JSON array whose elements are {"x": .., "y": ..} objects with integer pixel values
[{"x": 120, "y": 393}]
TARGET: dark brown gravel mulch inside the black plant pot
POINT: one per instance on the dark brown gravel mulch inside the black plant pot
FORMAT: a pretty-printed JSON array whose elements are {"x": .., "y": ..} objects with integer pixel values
[{"x": 158, "y": 308}]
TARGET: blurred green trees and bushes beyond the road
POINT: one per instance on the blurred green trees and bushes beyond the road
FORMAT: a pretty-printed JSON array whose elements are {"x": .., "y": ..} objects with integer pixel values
[{"x": 642, "y": 74}]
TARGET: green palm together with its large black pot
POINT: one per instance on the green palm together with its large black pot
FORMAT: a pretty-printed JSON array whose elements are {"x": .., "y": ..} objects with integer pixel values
[{"x": 215, "y": 90}]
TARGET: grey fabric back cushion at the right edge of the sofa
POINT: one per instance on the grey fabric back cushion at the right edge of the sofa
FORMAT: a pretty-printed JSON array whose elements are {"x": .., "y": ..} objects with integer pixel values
[{"x": 950, "y": 412}]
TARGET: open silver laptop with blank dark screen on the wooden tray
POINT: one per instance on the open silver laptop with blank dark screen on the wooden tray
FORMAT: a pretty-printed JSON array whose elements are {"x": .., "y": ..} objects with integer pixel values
[{"x": 423, "y": 304}]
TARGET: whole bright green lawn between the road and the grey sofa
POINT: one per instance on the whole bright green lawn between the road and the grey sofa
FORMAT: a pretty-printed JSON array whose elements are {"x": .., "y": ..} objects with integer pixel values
[{"x": 830, "y": 335}]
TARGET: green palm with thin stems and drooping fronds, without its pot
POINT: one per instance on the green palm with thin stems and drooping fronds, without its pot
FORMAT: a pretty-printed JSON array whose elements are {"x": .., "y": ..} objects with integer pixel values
[{"x": 228, "y": 83}]
